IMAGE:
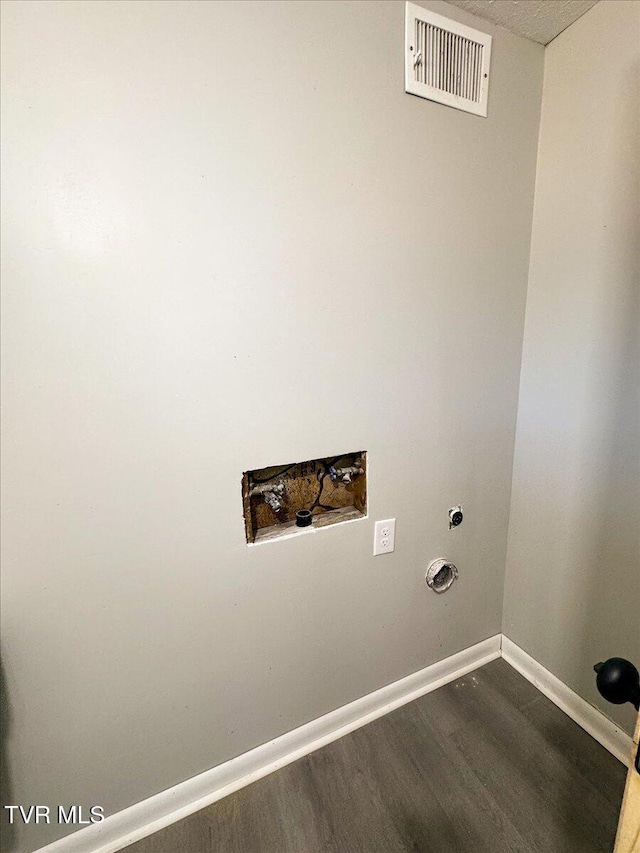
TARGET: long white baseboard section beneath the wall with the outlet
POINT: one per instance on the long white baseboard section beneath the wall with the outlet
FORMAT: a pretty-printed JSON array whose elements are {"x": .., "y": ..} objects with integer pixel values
[{"x": 130, "y": 825}]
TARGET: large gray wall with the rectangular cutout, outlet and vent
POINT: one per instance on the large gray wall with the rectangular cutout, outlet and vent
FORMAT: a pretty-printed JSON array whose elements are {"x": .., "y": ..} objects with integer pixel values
[{"x": 230, "y": 241}]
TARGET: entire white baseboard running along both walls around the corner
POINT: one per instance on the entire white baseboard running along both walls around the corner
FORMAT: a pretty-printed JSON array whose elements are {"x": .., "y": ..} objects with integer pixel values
[{"x": 130, "y": 825}]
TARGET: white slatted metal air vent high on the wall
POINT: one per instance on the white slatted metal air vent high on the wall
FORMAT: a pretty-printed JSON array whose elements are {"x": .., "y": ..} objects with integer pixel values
[{"x": 446, "y": 61}]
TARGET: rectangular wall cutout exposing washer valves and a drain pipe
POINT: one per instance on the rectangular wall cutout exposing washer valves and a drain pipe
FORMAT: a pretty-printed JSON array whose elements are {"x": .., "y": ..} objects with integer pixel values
[{"x": 283, "y": 499}]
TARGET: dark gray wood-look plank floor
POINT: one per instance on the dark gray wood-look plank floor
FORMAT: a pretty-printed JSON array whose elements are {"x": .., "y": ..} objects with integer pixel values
[{"x": 485, "y": 765}]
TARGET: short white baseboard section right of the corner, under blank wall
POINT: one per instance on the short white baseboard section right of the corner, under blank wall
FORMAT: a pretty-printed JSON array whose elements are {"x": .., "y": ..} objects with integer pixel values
[{"x": 591, "y": 719}]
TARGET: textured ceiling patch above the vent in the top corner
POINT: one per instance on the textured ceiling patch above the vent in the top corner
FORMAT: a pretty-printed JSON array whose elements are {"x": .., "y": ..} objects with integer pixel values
[{"x": 539, "y": 20}]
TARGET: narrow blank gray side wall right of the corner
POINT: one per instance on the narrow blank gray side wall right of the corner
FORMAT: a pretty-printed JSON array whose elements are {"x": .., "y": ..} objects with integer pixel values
[{"x": 572, "y": 593}]
